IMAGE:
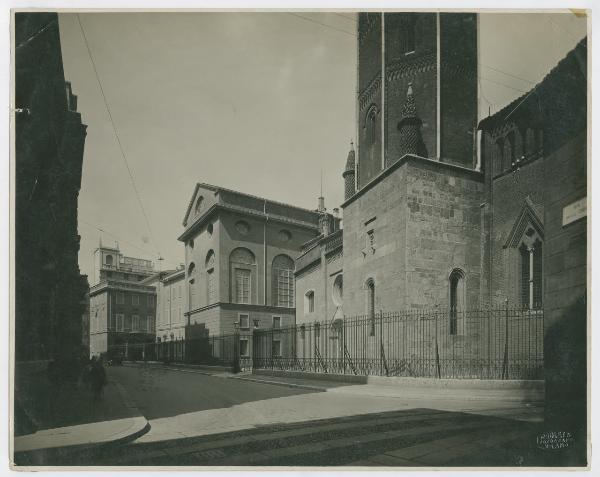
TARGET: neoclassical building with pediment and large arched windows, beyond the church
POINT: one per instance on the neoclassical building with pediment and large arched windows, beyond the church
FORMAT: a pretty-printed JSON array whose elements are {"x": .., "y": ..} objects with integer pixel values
[{"x": 240, "y": 255}]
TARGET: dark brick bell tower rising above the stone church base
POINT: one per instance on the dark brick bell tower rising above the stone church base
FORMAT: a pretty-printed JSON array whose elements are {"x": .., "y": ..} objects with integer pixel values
[{"x": 433, "y": 57}]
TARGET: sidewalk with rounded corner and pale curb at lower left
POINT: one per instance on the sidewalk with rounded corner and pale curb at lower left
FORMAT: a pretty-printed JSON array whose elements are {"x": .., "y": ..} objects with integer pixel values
[{"x": 68, "y": 420}]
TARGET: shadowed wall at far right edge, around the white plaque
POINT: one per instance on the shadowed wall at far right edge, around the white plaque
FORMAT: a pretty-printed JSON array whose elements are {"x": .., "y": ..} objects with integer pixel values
[{"x": 565, "y": 293}]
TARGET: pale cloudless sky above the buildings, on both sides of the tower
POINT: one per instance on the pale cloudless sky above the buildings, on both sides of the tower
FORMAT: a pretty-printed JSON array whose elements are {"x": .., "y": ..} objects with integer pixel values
[{"x": 258, "y": 102}]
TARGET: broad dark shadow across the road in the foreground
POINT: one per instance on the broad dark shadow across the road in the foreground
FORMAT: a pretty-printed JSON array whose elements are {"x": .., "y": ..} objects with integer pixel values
[{"x": 407, "y": 438}]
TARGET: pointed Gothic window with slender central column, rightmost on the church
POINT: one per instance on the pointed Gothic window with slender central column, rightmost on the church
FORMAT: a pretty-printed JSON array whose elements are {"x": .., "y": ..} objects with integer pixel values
[{"x": 531, "y": 275}]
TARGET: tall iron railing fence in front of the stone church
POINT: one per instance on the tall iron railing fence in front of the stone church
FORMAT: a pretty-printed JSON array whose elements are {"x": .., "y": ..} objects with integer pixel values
[{"x": 481, "y": 344}]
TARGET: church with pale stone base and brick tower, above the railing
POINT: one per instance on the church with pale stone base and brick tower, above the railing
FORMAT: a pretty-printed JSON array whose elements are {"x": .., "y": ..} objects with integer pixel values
[{"x": 439, "y": 210}]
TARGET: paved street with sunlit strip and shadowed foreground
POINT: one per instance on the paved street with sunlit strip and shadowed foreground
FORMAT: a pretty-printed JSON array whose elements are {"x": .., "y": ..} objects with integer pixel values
[{"x": 200, "y": 420}]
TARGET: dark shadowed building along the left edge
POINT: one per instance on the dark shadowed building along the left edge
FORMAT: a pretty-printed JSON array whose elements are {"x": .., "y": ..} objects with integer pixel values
[{"x": 50, "y": 139}]
